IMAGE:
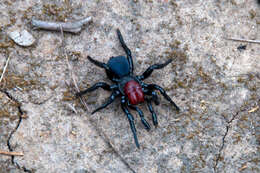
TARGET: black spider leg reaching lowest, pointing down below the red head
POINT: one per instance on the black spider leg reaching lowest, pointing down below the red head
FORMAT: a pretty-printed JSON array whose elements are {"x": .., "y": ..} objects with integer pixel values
[{"x": 130, "y": 119}]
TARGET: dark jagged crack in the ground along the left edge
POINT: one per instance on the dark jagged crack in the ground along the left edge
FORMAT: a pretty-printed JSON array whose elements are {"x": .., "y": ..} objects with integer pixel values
[{"x": 21, "y": 113}]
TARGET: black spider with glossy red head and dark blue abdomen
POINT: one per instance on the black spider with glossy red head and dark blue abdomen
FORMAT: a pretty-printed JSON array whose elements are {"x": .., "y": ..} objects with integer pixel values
[{"x": 129, "y": 87}]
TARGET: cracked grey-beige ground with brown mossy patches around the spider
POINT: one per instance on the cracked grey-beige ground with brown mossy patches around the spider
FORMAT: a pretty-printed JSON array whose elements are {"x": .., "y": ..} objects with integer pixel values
[{"x": 214, "y": 81}]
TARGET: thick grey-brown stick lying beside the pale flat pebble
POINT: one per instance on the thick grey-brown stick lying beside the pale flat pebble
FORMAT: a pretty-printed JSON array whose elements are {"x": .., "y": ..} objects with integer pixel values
[{"x": 73, "y": 27}]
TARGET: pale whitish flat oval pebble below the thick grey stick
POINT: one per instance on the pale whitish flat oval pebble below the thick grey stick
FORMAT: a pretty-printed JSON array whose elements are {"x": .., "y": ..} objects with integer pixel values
[{"x": 22, "y": 38}]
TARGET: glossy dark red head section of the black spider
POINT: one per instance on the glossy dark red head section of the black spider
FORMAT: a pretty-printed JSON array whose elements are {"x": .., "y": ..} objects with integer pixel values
[{"x": 134, "y": 92}]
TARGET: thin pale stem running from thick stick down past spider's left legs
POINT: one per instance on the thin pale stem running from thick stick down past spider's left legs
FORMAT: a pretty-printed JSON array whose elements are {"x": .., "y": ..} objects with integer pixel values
[{"x": 71, "y": 70}]
